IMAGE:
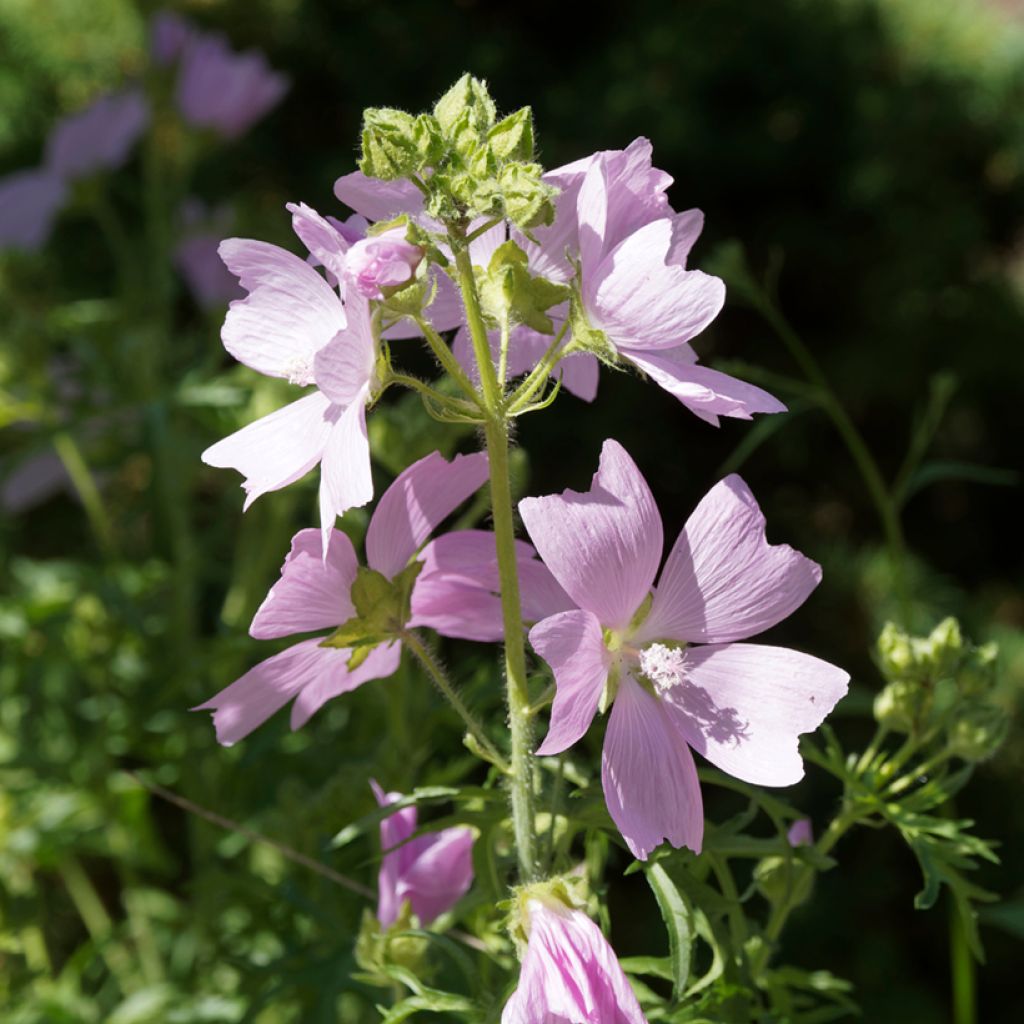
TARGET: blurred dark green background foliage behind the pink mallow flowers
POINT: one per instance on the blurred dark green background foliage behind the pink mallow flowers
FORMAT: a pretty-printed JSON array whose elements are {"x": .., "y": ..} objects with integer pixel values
[{"x": 870, "y": 158}]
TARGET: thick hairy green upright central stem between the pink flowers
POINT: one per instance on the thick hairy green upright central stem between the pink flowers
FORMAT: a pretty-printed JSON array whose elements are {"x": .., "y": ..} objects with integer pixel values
[{"x": 496, "y": 432}]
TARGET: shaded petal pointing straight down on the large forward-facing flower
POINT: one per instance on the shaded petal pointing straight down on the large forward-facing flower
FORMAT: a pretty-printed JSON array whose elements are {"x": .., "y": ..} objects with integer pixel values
[{"x": 651, "y": 782}]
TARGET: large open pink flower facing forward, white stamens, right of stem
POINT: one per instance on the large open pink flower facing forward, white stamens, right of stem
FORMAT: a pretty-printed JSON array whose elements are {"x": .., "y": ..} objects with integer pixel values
[{"x": 742, "y": 706}]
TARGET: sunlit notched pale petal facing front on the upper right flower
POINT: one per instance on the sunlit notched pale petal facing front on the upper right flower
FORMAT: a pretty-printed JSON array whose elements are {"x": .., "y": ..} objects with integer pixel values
[{"x": 642, "y": 303}]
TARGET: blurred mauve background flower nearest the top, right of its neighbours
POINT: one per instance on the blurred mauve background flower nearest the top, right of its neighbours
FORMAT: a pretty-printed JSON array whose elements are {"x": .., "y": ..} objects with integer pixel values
[{"x": 226, "y": 92}]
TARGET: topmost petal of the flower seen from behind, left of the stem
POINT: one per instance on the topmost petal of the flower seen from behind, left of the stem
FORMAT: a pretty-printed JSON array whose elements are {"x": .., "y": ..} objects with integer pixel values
[{"x": 415, "y": 505}]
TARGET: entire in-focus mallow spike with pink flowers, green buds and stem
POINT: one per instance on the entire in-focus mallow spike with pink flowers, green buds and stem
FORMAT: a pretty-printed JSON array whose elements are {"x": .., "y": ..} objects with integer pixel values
[{"x": 540, "y": 278}]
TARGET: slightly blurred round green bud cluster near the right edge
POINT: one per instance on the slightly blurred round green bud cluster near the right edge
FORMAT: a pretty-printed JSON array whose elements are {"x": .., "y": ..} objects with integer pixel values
[{"x": 942, "y": 682}]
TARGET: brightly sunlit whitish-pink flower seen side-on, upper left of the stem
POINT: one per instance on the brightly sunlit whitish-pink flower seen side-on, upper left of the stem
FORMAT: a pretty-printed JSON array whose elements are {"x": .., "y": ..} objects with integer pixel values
[{"x": 293, "y": 326}]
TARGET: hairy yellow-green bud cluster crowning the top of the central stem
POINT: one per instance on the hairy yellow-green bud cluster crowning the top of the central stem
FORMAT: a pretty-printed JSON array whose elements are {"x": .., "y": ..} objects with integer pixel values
[{"x": 470, "y": 163}]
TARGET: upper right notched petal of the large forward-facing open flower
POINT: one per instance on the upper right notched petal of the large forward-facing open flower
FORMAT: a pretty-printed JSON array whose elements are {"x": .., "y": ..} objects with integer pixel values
[{"x": 723, "y": 581}]
